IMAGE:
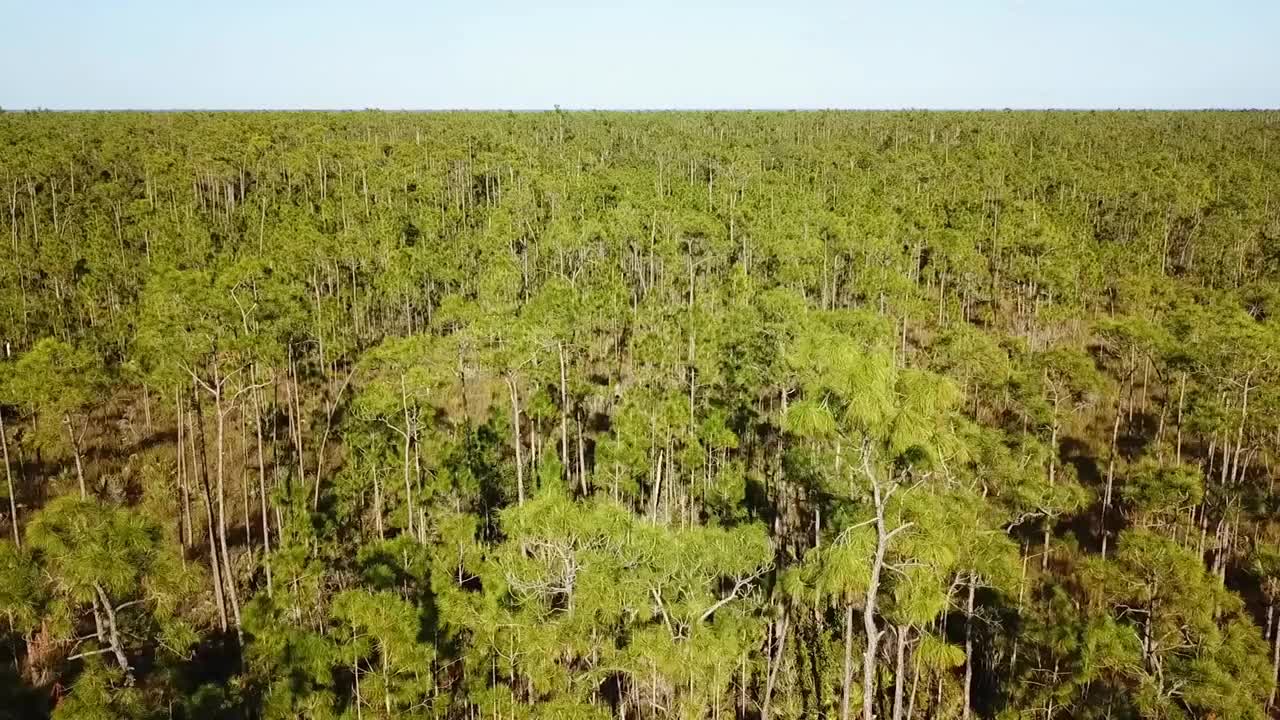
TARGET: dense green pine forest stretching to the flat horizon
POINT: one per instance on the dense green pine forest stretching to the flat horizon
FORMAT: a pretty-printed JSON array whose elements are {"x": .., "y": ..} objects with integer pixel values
[{"x": 638, "y": 416}]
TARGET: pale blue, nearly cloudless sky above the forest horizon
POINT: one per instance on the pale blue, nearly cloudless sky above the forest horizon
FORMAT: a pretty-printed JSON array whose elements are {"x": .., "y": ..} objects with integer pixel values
[{"x": 657, "y": 54}]
